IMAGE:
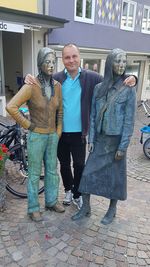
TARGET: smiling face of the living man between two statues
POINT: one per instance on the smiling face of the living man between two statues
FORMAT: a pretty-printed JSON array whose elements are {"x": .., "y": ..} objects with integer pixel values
[{"x": 71, "y": 58}]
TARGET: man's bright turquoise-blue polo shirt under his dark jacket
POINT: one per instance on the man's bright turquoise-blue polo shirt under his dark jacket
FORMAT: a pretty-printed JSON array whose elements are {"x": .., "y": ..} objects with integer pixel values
[{"x": 71, "y": 93}]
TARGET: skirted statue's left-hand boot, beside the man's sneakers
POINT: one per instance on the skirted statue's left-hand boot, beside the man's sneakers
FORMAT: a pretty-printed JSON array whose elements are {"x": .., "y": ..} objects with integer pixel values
[{"x": 85, "y": 210}]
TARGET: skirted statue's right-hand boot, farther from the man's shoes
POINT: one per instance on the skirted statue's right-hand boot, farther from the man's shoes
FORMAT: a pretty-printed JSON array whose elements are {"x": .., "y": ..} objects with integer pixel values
[{"x": 111, "y": 213}]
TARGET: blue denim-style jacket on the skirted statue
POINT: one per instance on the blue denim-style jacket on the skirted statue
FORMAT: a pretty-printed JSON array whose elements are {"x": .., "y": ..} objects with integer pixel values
[{"x": 119, "y": 116}]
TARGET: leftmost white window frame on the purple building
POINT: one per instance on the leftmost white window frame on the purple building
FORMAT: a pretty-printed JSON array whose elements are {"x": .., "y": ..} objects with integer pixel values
[{"x": 83, "y": 18}]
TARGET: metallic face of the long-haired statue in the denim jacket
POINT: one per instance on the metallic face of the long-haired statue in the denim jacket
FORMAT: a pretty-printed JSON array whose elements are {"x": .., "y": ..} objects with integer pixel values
[{"x": 119, "y": 63}]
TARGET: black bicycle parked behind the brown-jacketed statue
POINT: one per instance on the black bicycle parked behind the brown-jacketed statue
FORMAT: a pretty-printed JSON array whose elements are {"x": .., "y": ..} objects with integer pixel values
[{"x": 15, "y": 138}]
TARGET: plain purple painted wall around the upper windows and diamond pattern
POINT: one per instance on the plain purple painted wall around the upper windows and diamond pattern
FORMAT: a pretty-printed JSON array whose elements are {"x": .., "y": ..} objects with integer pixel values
[{"x": 95, "y": 36}]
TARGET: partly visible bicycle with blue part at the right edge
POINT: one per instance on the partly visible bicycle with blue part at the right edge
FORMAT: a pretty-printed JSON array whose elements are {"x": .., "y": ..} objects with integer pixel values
[{"x": 145, "y": 131}]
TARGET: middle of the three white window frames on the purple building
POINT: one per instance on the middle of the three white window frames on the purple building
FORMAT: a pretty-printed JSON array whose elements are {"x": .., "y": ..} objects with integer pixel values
[{"x": 128, "y": 28}]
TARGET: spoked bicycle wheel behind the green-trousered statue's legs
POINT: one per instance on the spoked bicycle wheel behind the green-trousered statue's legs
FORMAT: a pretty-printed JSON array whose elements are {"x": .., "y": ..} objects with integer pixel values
[{"x": 17, "y": 174}]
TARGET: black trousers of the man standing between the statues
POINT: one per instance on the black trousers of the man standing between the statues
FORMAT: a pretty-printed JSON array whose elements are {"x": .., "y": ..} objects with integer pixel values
[{"x": 71, "y": 153}]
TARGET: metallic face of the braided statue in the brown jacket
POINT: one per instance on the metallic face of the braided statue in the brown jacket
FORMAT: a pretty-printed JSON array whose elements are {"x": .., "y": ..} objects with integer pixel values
[{"x": 48, "y": 64}]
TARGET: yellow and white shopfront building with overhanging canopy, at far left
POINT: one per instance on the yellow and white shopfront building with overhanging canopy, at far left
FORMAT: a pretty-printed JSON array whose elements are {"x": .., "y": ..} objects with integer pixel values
[{"x": 24, "y": 27}]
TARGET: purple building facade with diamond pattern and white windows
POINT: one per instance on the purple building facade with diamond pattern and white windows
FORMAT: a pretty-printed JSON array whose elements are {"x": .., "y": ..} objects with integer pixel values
[{"x": 97, "y": 26}]
